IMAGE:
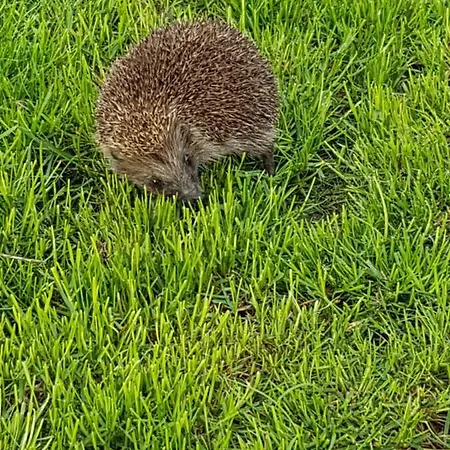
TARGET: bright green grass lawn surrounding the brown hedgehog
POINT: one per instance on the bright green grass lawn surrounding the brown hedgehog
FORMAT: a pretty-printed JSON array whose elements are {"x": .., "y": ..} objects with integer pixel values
[{"x": 307, "y": 311}]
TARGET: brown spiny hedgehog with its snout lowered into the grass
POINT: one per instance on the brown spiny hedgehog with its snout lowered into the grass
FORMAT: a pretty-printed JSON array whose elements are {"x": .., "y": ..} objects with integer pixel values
[{"x": 187, "y": 95}]
